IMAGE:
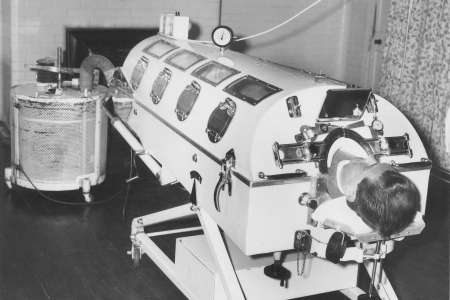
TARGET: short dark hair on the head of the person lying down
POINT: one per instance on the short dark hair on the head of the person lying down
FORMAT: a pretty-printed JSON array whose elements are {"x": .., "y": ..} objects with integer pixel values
[{"x": 387, "y": 203}]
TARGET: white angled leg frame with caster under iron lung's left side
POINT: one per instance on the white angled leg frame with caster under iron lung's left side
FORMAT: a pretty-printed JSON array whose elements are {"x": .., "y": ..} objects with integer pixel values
[{"x": 142, "y": 243}]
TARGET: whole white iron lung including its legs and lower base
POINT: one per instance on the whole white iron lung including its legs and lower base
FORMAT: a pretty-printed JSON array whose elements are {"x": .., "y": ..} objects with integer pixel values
[{"x": 250, "y": 139}]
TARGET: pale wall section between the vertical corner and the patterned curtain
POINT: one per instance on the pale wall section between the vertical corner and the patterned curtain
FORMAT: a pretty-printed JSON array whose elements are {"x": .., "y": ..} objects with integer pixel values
[{"x": 331, "y": 38}]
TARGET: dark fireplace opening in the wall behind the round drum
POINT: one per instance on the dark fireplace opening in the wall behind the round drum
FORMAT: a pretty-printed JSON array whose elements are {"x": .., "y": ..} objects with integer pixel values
[{"x": 113, "y": 43}]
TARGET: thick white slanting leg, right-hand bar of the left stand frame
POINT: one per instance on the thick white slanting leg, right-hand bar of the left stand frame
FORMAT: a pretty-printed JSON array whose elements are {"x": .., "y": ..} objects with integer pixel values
[{"x": 220, "y": 255}]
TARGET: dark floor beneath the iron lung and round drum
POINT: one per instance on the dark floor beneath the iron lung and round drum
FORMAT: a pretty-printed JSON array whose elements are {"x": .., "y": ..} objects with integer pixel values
[{"x": 50, "y": 251}]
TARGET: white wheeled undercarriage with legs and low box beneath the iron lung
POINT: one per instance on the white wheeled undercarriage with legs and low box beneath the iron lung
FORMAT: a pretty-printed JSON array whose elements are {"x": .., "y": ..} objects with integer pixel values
[{"x": 236, "y": 276}]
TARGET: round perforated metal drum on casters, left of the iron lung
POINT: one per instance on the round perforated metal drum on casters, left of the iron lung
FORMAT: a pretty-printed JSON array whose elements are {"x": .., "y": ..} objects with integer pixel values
[{"x": 58, "y": 141}]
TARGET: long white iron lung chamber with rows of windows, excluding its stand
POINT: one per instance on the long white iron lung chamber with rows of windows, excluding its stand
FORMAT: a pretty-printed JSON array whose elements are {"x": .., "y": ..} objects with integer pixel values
[{"x": 257, "y": 134}]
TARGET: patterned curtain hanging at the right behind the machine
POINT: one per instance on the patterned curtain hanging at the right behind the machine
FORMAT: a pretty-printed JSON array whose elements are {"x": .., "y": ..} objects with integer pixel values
[{"x": 415, "y": 69}]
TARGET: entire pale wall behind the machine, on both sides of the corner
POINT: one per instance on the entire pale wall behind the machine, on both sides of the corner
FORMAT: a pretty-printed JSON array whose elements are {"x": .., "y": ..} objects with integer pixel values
[{"x": 332, "y": 38}]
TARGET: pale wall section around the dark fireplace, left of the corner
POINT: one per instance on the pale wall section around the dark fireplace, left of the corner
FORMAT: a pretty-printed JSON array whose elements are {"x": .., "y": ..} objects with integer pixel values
[{"x": 38, "y": 27}]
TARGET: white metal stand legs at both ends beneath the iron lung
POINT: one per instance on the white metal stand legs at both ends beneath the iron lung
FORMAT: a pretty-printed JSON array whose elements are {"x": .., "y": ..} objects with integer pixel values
[{"x": 142, "y": 243}]
